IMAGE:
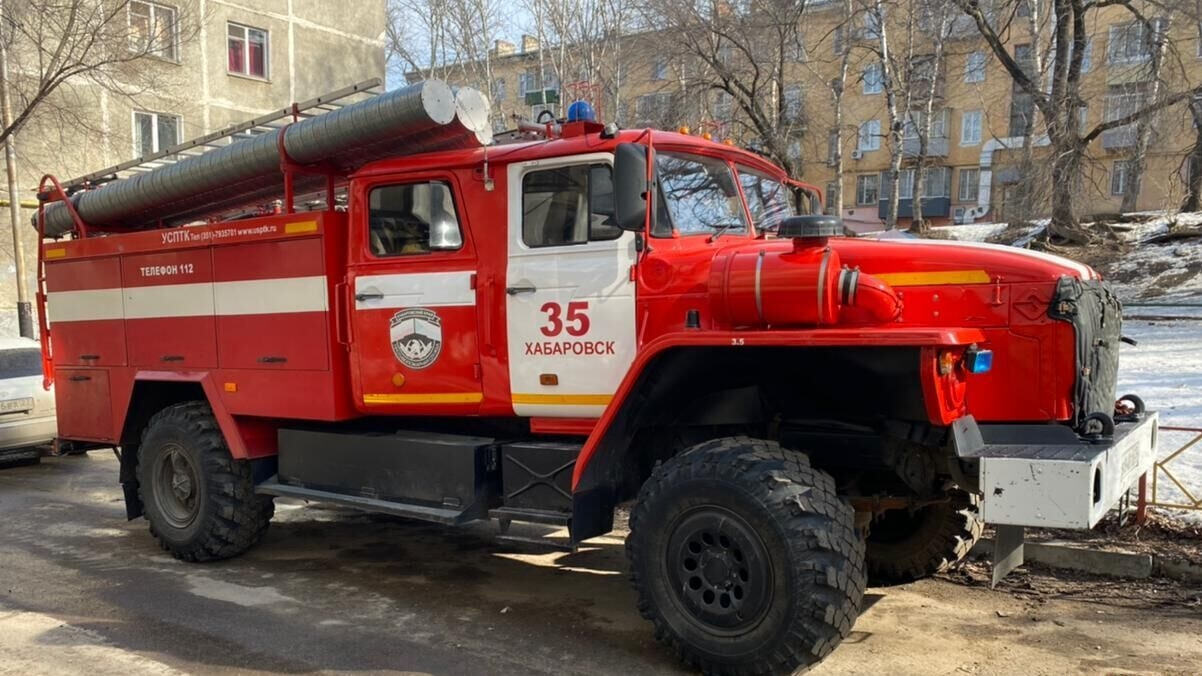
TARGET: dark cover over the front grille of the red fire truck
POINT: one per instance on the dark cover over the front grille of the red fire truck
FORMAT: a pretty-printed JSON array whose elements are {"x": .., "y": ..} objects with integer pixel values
[{"x": 1097, "y": 317}]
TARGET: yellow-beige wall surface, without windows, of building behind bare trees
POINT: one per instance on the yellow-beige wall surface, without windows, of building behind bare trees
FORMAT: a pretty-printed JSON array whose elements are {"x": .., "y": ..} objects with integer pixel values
[{"x": 977, "y": 100}]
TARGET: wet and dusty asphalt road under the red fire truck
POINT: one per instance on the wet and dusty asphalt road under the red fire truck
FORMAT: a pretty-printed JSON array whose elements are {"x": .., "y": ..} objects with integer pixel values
[{"x": 330, "y": 590}]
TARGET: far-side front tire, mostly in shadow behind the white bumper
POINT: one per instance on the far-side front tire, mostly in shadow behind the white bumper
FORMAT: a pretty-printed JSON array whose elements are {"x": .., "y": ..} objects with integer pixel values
[{"x": 912, "y": 547}]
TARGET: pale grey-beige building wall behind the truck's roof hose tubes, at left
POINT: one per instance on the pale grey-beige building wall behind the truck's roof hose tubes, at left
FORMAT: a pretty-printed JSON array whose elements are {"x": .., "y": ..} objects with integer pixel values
[{"x": 312, "y": 50}]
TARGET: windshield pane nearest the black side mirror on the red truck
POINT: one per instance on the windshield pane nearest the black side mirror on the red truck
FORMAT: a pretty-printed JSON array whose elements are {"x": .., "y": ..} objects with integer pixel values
[{"x": 700, "y": 194}]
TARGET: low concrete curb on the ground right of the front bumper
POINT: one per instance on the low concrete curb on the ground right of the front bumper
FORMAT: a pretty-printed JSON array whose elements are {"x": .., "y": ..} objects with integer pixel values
[{"x": 1098, "y": 562}]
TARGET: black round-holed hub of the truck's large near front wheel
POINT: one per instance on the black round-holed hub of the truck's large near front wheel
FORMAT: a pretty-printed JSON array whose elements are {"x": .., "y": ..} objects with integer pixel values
[{"x": 721, "y": 571}]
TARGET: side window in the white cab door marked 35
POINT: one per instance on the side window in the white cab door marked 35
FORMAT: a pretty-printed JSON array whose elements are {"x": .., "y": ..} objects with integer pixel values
[{"x": 569, "y": 205}]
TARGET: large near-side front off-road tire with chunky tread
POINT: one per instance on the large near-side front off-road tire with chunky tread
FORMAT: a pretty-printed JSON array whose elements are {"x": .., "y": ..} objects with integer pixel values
[{"x": 816, "y": 556}]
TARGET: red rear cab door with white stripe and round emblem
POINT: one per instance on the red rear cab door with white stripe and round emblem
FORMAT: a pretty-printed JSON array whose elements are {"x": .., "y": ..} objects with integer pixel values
[{"x": 414, "y": 300}]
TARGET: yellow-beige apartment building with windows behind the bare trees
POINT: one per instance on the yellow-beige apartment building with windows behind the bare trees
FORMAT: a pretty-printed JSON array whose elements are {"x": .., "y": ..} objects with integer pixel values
[{"x": 975, "y": 157}]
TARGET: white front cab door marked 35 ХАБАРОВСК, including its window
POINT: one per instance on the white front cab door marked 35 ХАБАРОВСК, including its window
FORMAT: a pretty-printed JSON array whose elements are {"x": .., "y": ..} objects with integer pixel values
[{"x": 570, "y": 299}]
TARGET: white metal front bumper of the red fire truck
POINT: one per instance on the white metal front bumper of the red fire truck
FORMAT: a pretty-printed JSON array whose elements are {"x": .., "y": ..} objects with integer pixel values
[{"x": 1044, "y": 476}]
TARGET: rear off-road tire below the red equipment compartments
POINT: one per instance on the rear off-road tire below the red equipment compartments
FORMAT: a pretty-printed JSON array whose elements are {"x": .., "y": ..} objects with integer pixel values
[{"x": 228, "y": 518}]
